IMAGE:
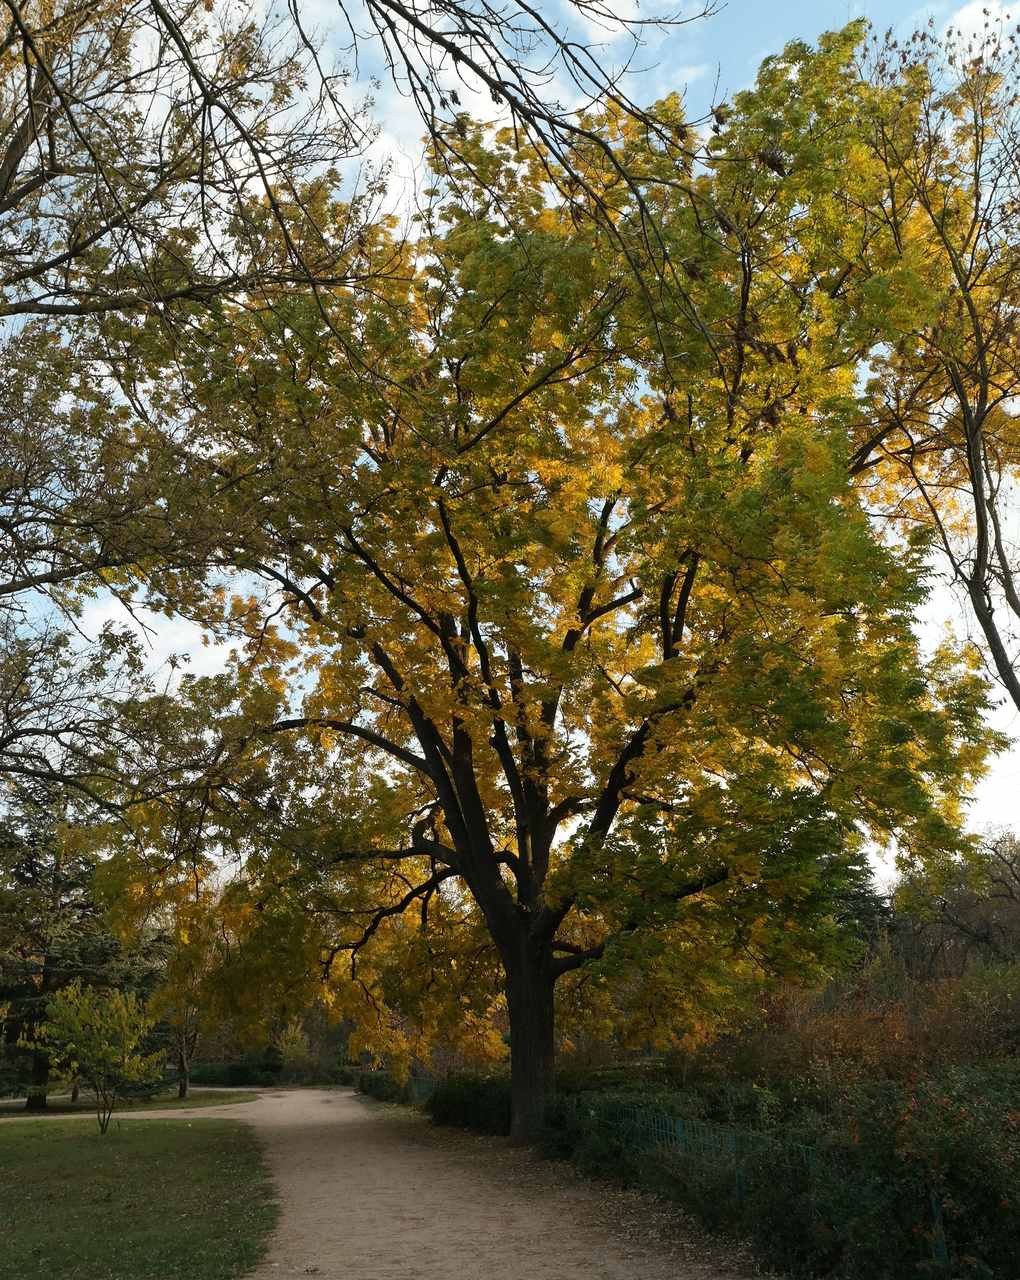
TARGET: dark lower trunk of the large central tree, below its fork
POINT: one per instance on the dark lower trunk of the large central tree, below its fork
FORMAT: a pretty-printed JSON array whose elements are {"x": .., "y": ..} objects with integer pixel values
[{"x": 530, "y": 1003}]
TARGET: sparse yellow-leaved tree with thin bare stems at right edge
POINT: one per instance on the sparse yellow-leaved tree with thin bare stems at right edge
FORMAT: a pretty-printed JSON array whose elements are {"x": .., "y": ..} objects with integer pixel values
[{"x": 936, "y": 191}]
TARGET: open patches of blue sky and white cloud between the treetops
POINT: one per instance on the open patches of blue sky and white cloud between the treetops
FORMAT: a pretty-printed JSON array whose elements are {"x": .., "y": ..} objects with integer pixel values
[{"x": 713, "y": 58}]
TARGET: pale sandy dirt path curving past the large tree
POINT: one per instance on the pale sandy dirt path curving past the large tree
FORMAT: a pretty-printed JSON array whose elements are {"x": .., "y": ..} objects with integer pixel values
[{"x": 372, "y": 1192}]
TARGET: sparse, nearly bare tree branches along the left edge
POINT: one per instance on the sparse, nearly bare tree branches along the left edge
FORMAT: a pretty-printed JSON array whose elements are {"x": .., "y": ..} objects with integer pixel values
[{"x": 134, "y": 144}]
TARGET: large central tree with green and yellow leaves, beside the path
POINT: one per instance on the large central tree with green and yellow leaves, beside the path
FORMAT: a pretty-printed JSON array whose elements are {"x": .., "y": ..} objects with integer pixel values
[{"x": 579, "y": 578}]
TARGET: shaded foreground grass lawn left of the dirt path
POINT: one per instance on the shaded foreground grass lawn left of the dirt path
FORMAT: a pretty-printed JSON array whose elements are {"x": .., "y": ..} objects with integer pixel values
[{"x": 153, "y": 1200}]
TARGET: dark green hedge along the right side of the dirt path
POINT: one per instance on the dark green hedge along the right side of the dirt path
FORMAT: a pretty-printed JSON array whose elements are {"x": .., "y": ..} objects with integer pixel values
[{"x": 890, "y": 1182}]
